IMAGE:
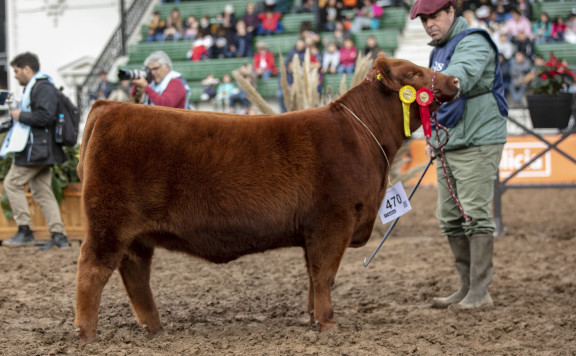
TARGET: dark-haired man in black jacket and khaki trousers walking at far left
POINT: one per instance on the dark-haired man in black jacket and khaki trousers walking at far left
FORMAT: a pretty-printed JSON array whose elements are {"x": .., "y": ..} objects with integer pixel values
[{"x": 32, "y": 160}]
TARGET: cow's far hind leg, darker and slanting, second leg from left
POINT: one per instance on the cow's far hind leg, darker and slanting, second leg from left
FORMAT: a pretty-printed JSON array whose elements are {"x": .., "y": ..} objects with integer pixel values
[{"x": 135, "y": 272}]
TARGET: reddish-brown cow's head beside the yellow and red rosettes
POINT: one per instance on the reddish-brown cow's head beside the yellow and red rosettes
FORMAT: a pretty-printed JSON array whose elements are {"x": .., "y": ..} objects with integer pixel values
[{"x": 393, "y": 74}]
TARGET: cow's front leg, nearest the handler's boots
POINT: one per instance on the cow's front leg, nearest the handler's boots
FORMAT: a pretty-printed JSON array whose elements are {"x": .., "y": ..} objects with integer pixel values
[{"x": 323, "y": 256}]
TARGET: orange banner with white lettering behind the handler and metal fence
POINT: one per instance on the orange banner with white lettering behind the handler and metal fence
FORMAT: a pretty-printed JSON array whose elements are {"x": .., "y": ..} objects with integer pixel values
[{"x": 551, "y": 168}]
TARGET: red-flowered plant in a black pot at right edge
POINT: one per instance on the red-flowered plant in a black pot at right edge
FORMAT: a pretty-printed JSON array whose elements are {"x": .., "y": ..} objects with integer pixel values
[{"x": 551, "y": 105}]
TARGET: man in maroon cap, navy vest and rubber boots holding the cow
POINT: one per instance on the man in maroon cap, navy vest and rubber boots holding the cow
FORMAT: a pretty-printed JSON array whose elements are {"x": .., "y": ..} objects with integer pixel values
[{"x": 476, "y": 124}]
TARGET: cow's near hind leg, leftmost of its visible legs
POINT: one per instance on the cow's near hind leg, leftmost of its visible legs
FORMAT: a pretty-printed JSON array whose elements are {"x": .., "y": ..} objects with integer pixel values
[{"x": 94, "y": 271}]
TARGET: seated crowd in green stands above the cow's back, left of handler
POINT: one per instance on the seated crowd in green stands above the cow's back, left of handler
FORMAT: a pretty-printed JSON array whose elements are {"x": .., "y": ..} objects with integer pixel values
[{"x": 229, "y": 36}]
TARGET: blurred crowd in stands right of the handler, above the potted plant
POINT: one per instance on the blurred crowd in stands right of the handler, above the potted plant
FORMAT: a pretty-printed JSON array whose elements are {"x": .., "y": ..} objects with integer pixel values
[{"x": 516, "y": 36}]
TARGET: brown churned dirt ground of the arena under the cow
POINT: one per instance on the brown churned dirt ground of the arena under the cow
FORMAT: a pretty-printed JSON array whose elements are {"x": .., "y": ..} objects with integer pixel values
[{"x": 256, "y": 305}]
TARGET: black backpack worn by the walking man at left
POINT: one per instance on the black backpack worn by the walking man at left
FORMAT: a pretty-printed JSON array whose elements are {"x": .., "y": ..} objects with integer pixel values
[{"x": 68, "y": 121}]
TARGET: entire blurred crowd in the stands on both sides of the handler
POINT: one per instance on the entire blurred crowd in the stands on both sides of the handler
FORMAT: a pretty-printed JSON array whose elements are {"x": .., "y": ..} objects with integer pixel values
[{"x": 331, "y": 43}]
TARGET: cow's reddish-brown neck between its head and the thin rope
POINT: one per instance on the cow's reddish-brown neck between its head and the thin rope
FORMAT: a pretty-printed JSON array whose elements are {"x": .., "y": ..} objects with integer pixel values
[{"x": 381, "y": 112}]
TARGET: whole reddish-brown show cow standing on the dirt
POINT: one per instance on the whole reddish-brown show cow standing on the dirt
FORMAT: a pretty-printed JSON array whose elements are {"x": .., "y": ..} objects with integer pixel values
[{"x": 220, "y": 186}]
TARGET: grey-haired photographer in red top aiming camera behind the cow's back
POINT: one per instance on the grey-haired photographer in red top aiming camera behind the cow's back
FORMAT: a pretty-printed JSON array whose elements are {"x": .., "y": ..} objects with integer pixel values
[{"x": 166, "y": 87}]
